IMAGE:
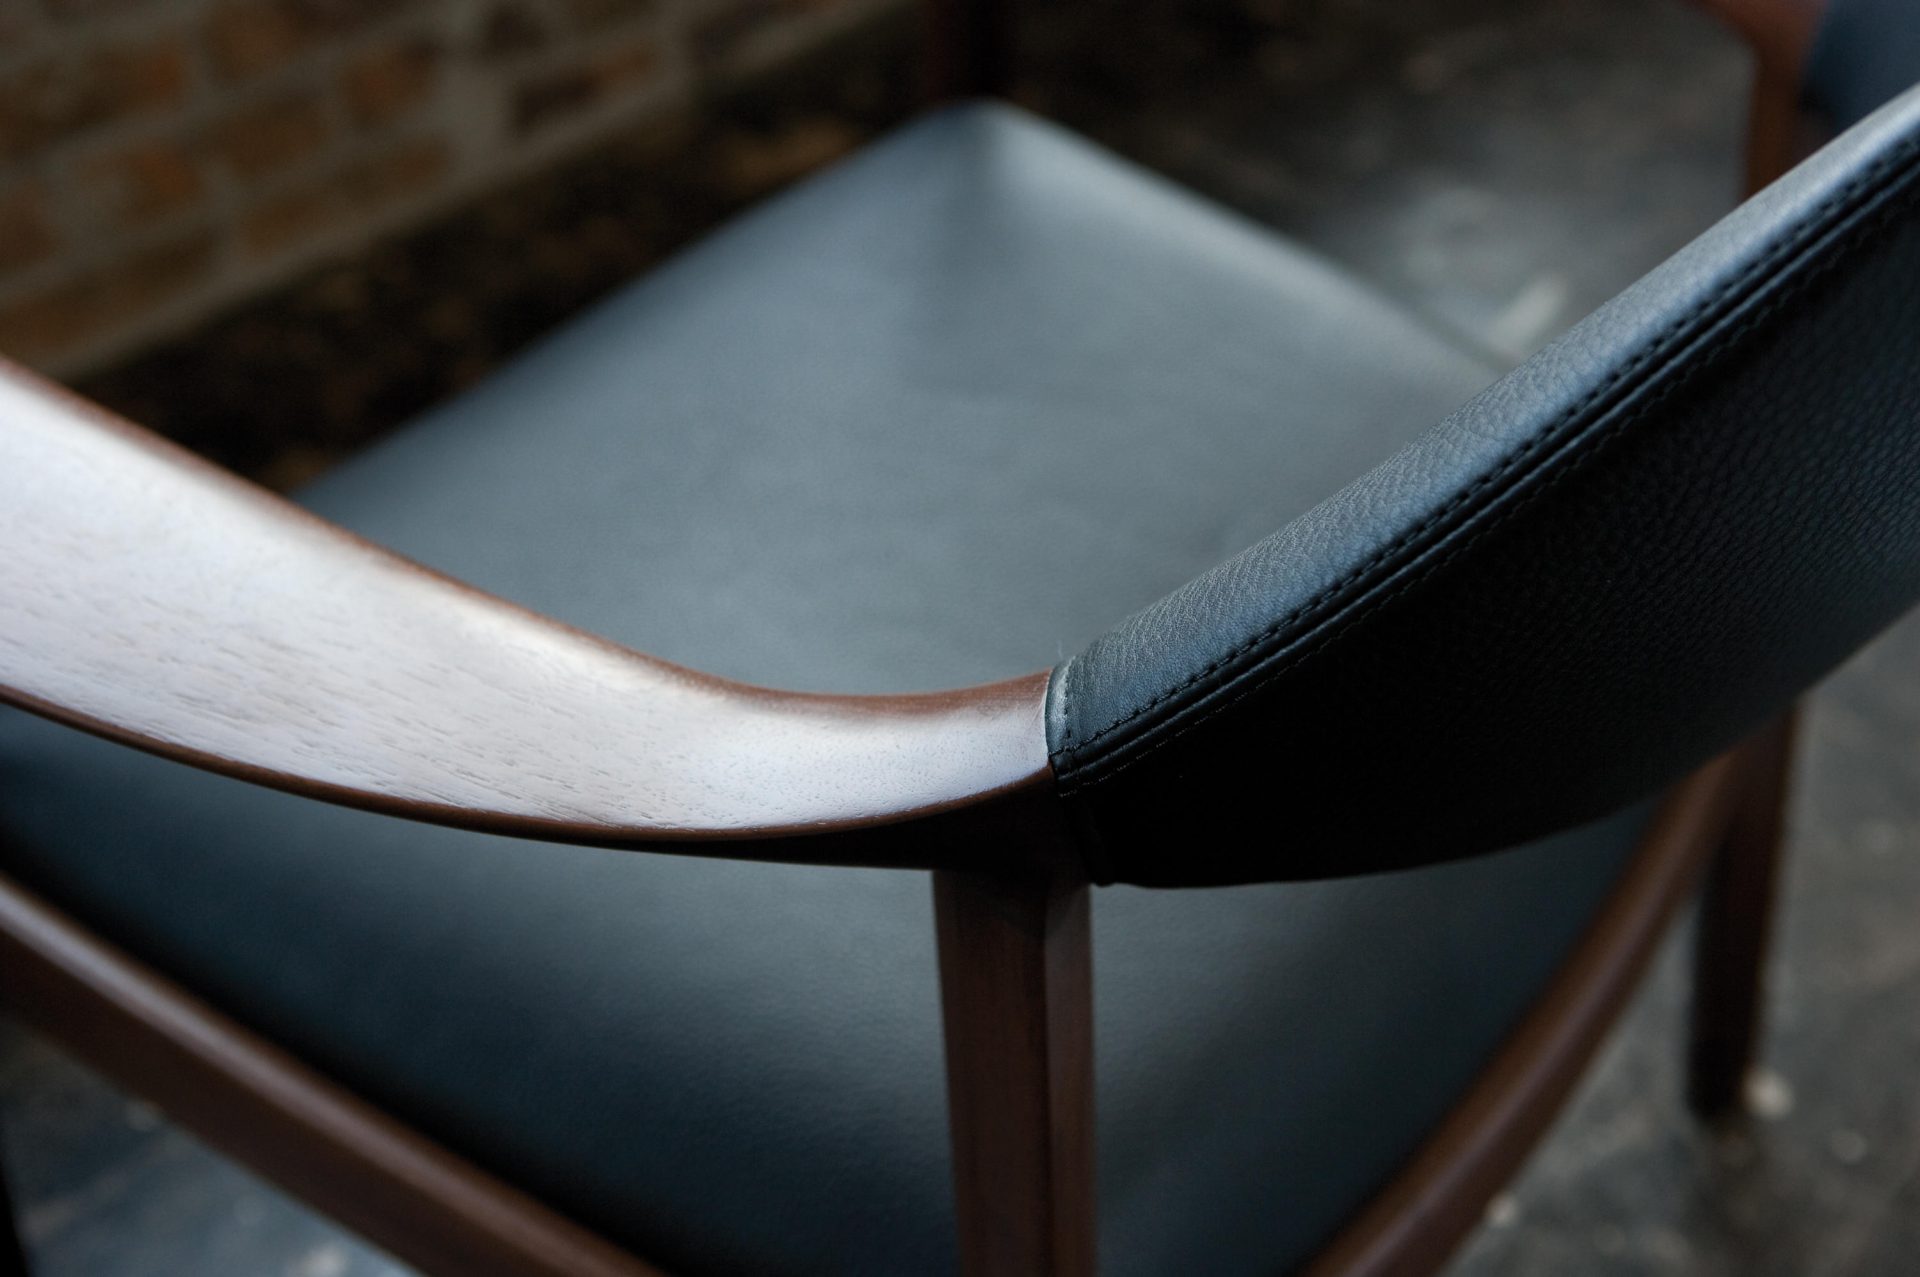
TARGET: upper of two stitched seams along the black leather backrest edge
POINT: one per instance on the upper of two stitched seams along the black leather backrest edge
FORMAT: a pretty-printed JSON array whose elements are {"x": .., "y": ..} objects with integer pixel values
[{"x": 1808, "y": 229}]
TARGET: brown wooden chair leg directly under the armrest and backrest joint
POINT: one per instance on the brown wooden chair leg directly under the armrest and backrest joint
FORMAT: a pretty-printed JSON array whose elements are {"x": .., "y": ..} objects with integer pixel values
[{"x": 1017, "y": 990}]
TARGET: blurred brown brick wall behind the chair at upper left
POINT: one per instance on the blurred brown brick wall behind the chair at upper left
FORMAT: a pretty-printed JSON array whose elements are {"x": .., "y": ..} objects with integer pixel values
[{"x": 166, "y": 158}]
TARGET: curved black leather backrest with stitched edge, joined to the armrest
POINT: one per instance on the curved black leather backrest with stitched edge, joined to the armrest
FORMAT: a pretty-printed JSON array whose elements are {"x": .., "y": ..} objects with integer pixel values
[{"x": 1595, "y": 577}]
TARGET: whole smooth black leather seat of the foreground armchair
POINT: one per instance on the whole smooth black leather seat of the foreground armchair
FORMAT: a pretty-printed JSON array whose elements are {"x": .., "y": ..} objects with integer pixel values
[{"x": 942, "y": 416}]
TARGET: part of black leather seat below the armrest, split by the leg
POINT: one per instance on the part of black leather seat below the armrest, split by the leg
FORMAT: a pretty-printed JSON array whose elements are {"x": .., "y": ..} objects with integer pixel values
[{"x": 736, "y": 1069}]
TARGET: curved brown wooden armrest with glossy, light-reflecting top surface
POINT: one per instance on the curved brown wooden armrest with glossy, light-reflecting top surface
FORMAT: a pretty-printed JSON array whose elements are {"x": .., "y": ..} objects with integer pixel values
[{"x": 172, "y": 606}]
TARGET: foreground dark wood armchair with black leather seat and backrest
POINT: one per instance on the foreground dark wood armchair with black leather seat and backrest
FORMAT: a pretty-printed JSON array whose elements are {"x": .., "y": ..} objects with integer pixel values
[{"x": 1387, "y": 807}]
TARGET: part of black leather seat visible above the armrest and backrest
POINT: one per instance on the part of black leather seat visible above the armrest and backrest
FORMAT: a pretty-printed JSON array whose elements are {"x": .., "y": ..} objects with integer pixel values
[{"x": 936, "y": 420}]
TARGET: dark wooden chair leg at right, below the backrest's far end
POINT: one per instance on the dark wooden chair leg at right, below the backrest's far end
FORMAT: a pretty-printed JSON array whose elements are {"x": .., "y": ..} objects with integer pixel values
[{"x": 1731, "y": 938}]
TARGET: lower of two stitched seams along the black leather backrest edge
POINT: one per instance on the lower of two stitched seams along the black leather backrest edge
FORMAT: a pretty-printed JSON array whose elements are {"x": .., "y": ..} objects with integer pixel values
[{"x": 1589, "y": 450}]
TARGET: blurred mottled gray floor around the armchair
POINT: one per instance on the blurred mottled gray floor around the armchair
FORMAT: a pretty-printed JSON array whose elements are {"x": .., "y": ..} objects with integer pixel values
[{"x": 1500, "y": 166}]
